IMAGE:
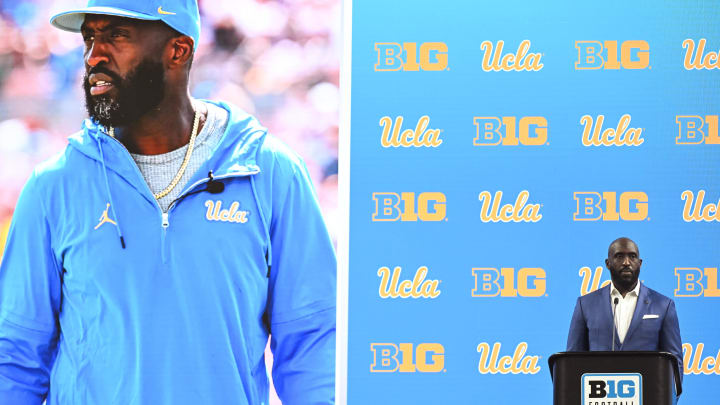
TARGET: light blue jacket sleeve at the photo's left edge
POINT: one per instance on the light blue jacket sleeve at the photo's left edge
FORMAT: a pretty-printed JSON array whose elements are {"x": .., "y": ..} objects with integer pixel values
[{"x": 30, "y": 291}]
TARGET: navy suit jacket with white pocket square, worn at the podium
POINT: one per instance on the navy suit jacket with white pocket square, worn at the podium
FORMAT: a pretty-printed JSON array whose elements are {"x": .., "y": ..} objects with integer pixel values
[{"x": 592, "y": 325}]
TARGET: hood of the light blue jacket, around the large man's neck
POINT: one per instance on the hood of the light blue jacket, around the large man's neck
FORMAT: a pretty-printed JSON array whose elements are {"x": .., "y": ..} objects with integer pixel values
[{"x": 236, "y": 151}]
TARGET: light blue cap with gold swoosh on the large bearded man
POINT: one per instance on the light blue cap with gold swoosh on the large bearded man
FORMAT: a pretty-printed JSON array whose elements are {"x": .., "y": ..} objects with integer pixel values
[{"x": 182, "y": 15}]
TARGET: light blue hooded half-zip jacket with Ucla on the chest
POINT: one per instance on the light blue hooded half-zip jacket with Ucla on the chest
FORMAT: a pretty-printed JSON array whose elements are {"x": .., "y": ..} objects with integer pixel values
[{"x": 181, "y": 314}]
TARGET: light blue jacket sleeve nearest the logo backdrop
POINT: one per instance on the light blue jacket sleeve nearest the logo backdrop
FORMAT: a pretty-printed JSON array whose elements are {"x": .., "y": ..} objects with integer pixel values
[{"x": 302, "y": 296}]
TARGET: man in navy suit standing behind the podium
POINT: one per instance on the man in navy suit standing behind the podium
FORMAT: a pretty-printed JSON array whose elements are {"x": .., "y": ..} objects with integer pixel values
[{"x": 645, "y": 319}]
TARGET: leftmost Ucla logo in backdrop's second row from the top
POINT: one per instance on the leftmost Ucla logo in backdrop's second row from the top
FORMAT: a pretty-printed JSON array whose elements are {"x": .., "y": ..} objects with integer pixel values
[{"x": 419, "y": 137}]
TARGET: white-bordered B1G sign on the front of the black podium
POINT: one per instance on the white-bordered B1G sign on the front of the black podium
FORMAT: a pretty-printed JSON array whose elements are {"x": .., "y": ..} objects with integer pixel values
[{"x": 617, "y": 388}]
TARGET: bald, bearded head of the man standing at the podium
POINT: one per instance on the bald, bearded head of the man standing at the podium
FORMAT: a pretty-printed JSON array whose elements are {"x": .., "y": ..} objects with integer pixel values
[{"x": 624, "y": 264}]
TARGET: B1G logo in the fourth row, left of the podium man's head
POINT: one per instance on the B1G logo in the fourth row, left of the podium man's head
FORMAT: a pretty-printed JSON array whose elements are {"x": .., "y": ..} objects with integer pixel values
[{"x": 489, "y": 282}]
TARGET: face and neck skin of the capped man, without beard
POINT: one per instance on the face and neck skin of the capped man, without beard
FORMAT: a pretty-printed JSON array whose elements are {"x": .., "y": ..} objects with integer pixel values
[{"x": 119, "y": 45}]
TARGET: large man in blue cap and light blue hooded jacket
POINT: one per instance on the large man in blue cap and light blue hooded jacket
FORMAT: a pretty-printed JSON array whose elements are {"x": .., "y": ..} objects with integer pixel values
[{"x": 149, "y": 262}]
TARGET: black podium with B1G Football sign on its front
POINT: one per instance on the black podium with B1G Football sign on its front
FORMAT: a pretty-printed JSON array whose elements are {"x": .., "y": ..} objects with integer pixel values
[{"x": 623, "y": 377}]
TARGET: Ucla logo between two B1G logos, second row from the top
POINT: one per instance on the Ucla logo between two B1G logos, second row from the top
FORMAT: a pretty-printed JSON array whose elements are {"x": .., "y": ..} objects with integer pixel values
[{"x": 622, "y": 135}]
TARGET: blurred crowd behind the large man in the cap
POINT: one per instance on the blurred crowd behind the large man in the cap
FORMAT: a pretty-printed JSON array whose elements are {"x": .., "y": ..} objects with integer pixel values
[{"x": 277, "y": 59}]
